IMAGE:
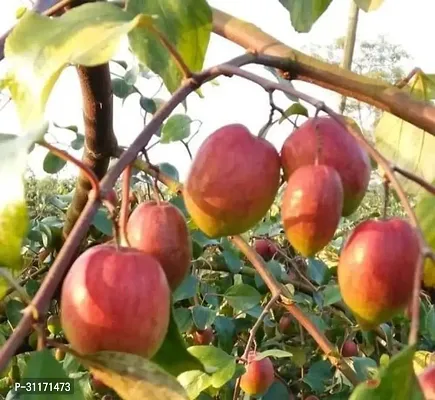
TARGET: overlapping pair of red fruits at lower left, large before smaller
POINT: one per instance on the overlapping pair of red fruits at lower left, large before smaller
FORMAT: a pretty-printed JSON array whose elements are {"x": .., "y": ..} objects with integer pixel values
[{"x": 119, "y": 298}]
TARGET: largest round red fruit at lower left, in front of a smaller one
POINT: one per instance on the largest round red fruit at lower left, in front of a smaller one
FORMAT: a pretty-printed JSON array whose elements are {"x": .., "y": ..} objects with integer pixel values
[{"x": 115, "y": 300}]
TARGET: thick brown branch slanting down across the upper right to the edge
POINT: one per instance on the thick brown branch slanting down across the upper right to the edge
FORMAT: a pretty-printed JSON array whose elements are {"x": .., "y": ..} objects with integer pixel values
[{"x": 297, "y": 65}]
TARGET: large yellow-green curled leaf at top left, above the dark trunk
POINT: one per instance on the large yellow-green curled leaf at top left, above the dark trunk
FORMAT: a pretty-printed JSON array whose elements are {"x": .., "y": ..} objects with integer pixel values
[{"x": 39, "y": 48}]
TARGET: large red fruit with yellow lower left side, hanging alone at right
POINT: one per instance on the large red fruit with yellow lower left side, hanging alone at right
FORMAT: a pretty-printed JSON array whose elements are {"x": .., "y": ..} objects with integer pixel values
[{"x": 376, "y": 270}]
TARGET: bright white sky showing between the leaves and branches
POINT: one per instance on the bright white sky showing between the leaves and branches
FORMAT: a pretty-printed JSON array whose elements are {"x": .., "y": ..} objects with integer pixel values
[{"x": 404, "y": 22}]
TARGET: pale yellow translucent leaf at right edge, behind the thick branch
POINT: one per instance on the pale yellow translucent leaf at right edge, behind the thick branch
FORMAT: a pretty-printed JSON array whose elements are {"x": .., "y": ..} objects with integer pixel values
[{"x": 404, "y": 144}]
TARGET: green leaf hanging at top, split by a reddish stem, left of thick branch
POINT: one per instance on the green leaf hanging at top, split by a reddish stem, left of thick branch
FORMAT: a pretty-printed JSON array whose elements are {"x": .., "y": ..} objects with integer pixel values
[{"x": 186, "y": 25}]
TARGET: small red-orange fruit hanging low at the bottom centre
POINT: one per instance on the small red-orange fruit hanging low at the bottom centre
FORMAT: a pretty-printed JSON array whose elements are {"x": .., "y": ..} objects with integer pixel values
[{"x": 259, "y": 376}]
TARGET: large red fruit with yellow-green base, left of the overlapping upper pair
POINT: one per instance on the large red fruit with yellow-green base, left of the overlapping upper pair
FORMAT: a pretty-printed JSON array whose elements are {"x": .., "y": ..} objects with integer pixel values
[{"x": 232, "y": 182}]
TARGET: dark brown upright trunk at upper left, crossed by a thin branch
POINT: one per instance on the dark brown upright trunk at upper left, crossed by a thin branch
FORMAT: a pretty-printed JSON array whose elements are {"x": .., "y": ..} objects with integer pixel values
[{"x": 100, "y": 140}]
